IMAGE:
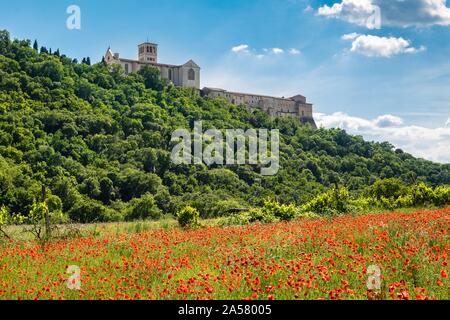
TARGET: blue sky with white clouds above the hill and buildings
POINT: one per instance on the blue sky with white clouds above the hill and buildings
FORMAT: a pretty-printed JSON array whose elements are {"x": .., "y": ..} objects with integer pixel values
[{"x": 376, "y": 68}]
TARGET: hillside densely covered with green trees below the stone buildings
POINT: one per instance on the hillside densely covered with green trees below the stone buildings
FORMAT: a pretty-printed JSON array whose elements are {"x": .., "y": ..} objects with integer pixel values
[{"x": 100, "y": 143}]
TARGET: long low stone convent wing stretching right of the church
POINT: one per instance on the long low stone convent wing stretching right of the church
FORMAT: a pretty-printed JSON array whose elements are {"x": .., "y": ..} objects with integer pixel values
[{"x": 295, "y": 107}]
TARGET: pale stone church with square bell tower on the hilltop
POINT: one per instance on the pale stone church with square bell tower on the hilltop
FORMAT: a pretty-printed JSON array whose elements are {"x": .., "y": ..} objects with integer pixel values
[{"x": 186, "y": 75}]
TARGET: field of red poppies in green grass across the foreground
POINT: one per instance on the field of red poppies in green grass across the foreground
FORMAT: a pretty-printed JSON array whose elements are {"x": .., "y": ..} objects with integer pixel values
[{"x": 374, "y": 256}]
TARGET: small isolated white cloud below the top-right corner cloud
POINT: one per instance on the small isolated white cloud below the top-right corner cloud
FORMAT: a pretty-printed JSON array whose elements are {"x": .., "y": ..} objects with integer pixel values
[{"x": 385, "y": 47}]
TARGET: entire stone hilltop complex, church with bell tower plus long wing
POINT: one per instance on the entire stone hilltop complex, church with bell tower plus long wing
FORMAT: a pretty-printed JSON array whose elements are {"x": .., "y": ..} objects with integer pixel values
[{"x": 188, "y": 75}]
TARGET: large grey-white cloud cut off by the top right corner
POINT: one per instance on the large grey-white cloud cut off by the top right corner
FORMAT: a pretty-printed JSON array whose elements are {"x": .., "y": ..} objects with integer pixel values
[{"x": 399, "y": 13}]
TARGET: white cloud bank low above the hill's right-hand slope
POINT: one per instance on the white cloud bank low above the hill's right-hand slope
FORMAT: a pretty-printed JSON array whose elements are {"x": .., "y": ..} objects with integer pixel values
[{"x": 428, "y": 143}]
